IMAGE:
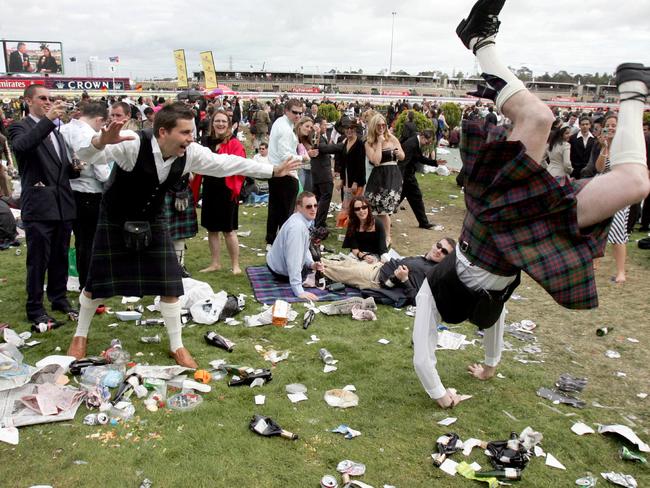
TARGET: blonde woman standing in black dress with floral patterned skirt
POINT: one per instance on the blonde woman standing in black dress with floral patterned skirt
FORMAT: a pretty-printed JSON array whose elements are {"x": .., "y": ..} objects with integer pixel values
[{"x": 384, "y": 186}]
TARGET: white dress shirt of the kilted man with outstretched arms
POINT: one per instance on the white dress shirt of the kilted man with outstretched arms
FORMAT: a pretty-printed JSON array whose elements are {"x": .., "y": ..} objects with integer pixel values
[{"x": 198, "y": 159}]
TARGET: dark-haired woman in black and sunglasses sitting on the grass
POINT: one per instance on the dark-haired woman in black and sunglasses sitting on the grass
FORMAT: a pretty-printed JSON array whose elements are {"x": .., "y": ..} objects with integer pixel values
[{"x": 366, "y": 236}]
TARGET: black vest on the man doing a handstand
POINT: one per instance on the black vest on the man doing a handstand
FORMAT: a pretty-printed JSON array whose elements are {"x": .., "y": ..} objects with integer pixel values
[{"x": 457, "y": 303}]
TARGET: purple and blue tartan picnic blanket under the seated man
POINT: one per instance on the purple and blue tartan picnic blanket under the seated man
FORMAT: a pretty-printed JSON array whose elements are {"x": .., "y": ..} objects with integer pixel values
[{"x": 267, "y": 289}]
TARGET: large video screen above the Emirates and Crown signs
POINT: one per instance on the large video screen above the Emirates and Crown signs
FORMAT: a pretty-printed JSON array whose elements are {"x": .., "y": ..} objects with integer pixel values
[{"x": 35, "y": 57}]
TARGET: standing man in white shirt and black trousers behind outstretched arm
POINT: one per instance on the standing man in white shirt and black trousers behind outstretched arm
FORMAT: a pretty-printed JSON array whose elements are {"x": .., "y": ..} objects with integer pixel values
[{"x": 283, "y": 144}]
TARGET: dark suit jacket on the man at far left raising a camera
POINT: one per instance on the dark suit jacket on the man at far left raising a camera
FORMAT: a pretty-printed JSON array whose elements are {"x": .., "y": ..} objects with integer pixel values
[{"x": 44, "y": 177}]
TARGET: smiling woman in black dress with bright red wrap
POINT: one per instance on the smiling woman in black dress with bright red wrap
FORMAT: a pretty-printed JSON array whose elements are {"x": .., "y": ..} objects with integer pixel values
[{"x": 220, "y": 208}]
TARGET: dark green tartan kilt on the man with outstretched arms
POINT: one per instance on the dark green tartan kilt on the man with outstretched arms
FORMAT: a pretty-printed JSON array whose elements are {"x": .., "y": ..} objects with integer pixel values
[{"x": 116, "y": 270}]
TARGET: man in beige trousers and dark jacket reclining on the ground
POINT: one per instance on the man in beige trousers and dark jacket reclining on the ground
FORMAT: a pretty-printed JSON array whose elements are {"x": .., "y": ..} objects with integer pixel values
[{"x": 402, "y": 277}]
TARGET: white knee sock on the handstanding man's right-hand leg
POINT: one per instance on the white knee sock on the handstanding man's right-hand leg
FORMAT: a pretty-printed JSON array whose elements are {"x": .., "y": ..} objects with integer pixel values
[{"x": 628, "y": 145}]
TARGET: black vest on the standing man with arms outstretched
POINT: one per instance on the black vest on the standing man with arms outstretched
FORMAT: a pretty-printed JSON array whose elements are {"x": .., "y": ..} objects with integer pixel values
[{"x": 138, "y": 195}]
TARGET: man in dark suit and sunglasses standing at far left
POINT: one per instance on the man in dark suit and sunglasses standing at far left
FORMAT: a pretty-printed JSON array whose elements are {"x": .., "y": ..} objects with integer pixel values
[{"x": 47, "y": 202}]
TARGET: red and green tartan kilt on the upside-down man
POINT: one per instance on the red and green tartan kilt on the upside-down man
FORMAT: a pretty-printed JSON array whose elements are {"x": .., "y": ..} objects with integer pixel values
[{"x": 519, "y": 217}]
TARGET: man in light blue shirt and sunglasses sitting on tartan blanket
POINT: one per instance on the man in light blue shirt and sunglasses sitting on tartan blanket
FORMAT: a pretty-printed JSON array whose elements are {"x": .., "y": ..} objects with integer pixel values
[{"x": 289, "y": 258}]
